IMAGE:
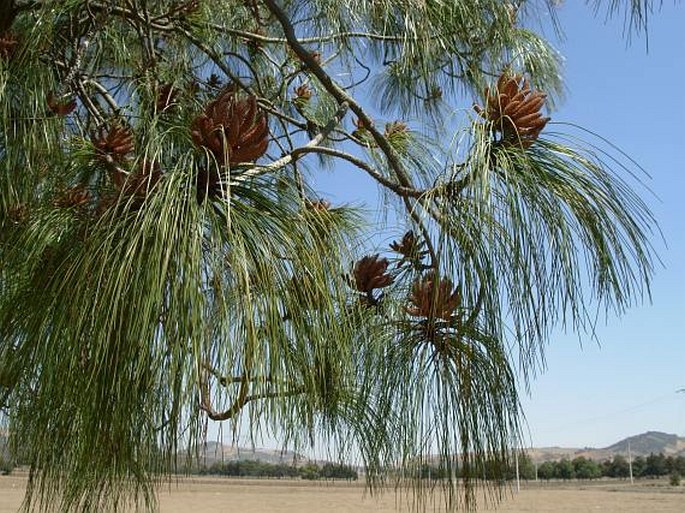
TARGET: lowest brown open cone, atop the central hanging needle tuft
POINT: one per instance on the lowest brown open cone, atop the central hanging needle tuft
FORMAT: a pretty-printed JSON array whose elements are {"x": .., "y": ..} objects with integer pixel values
[{"x": 428, "y": 302}]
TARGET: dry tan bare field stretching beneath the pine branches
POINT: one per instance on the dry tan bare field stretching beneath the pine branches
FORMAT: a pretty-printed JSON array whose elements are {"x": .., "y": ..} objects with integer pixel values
[{"x": 216, "y": 495}]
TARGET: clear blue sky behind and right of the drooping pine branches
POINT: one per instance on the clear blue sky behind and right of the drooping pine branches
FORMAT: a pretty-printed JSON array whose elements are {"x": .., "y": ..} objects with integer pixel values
[{"x": 595, "y": 395}]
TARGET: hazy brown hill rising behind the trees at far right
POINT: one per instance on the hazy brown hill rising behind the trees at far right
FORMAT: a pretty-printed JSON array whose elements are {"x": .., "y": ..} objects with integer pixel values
[{"x": 640, "y": 445}]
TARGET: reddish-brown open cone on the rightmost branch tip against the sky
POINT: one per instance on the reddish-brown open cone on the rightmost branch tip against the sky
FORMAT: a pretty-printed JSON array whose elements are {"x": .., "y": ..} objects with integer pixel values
[{"x": 514, "y": 110}]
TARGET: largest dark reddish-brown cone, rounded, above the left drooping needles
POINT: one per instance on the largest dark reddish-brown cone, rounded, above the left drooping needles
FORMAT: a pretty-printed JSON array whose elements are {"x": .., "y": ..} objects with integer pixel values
[{"x": 232, "y": 130}]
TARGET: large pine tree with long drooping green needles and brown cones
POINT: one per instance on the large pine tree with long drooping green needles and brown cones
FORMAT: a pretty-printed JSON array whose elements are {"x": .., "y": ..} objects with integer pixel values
[{"x": 165, "y": 261}]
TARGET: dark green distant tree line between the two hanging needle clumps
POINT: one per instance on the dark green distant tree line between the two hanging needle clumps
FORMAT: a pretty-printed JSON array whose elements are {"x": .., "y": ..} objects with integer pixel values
[{"x": 256, "y": 468}]
